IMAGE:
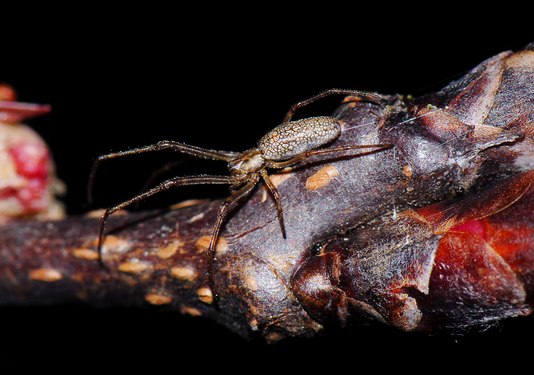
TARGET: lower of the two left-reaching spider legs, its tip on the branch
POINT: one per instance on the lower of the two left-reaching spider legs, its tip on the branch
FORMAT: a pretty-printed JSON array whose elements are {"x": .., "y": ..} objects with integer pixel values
[{"x": 174, "y": 182}]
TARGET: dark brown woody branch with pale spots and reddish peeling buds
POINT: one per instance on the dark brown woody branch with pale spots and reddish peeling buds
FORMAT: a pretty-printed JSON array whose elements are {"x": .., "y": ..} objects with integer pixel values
[{"x": 365, "y": 236}]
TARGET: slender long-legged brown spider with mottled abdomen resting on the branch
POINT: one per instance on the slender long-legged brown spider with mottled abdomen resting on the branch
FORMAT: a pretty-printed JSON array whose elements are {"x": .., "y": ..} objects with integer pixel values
[{"x": 284, "y": 146}]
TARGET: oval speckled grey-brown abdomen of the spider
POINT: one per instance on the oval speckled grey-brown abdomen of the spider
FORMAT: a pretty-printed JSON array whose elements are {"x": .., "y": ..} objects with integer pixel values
[{"x": 295, "y": 137}]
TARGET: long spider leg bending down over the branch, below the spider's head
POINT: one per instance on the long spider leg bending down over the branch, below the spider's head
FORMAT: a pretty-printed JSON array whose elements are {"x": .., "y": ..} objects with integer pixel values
[{"x": 236, "y": 196}]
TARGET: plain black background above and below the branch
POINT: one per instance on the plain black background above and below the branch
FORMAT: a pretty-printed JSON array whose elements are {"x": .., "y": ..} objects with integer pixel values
[{"x": 218, "y": 78}]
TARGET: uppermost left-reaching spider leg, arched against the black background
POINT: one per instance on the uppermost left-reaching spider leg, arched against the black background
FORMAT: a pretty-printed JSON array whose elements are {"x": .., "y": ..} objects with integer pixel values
[{"x": 160, "y": 146}]
